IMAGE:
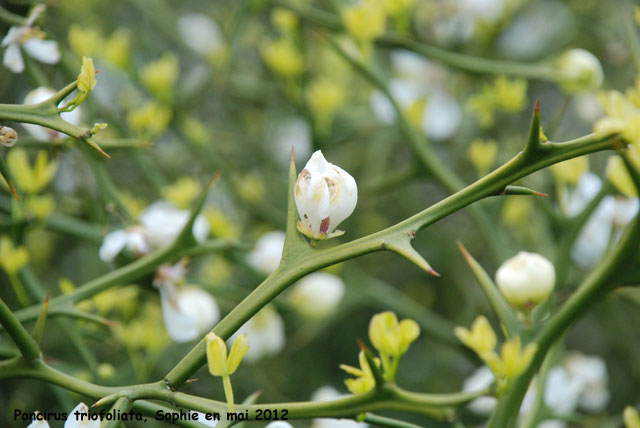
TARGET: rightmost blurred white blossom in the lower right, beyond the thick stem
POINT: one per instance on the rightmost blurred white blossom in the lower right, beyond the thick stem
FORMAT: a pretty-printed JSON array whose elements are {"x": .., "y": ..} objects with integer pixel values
[{"x": 591, "y": 373}]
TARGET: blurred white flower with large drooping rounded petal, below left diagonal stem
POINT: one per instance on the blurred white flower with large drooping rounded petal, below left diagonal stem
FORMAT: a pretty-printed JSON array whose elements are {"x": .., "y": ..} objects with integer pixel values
[{"x": 188, "y": 312}]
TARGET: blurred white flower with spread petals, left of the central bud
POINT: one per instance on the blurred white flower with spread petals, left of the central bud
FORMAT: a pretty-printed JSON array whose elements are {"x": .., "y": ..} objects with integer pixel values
[{"x": 161, "y": 223}]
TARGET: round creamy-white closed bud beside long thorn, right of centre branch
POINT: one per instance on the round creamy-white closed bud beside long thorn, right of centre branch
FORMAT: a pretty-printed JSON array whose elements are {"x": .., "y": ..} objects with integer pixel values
[{"x": 526, "y": 279}]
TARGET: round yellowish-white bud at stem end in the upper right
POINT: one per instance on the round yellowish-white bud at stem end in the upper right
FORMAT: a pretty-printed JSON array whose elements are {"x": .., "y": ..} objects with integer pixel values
[{"x": 579, "y": 71}]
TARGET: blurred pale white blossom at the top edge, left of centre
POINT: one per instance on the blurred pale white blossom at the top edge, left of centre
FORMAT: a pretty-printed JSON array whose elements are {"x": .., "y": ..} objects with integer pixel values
[{"x": 200, "y": 33}]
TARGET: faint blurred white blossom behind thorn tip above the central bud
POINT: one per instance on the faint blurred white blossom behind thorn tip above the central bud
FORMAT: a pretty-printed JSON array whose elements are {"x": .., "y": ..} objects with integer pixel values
[{"x": 291, "y": 133}]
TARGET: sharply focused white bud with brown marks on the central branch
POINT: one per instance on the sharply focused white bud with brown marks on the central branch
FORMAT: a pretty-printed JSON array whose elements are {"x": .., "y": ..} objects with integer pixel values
[{"x": 325, "y": 195}]
